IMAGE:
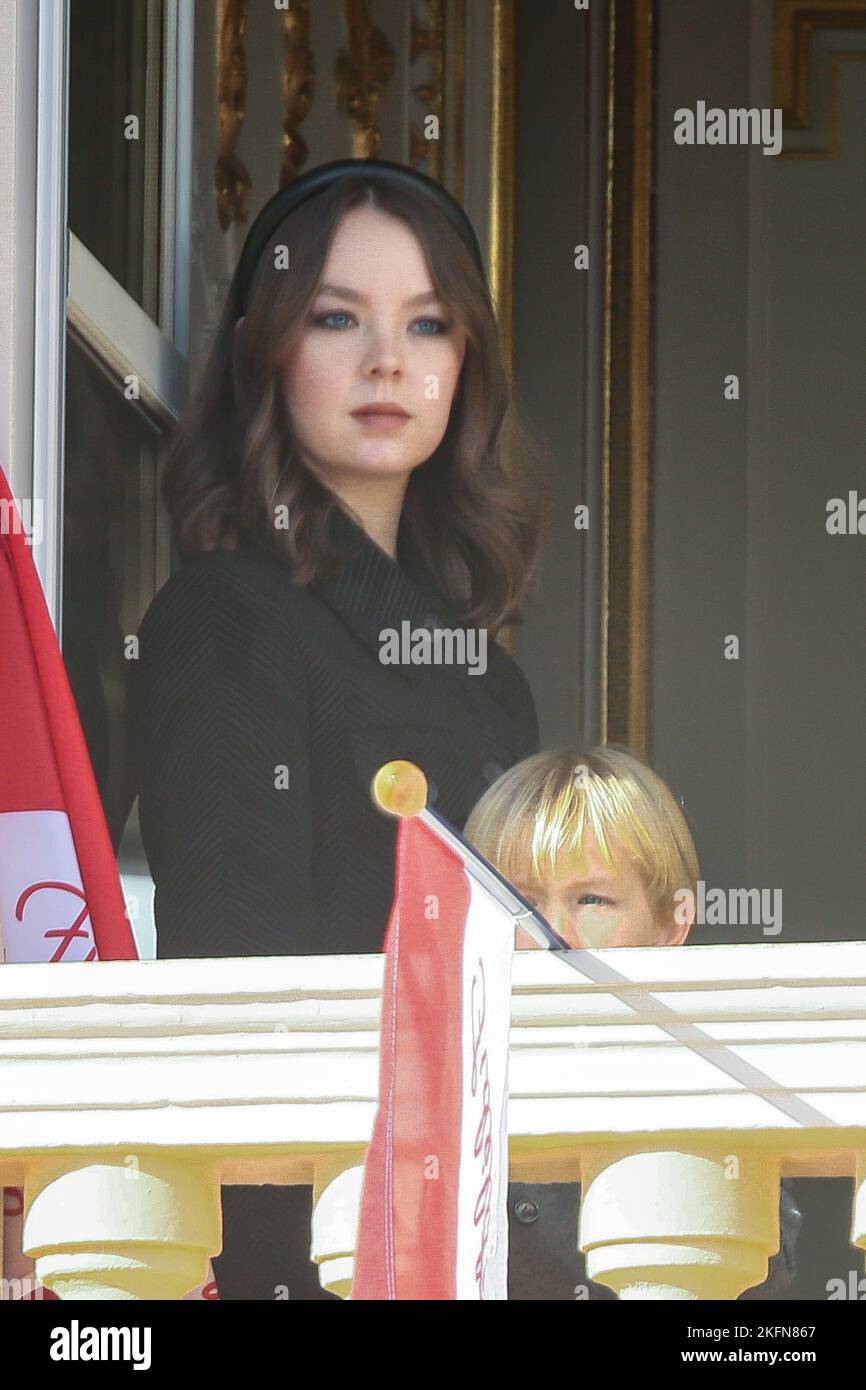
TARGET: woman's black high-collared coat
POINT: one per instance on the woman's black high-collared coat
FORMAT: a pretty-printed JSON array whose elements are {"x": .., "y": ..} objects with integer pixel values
[{"x": 241, "y": 673}]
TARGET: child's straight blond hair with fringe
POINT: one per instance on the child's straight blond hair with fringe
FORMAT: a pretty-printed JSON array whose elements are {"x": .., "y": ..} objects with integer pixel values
[{"x": 541, "y": 808}]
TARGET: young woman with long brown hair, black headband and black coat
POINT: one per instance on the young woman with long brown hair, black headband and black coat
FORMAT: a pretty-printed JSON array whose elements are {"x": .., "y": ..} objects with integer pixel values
[{"x": 340, "y": 497}]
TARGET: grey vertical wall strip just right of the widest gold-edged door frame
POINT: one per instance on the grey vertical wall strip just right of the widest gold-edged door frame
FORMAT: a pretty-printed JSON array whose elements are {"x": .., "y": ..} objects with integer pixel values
[{"x": 700, "y": 479}]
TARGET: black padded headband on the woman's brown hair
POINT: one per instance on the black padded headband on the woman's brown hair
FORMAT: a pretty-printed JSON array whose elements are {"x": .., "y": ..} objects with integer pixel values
[{"x": 320, "y": 179}]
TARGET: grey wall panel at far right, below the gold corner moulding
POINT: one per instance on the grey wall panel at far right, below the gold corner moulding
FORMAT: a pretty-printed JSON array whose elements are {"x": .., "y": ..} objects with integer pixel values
[{"x": 807, "y": 726}]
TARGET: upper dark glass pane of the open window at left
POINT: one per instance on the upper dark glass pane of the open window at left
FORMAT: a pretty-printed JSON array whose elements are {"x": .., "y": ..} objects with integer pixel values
[{"x": 116, "y": 124}]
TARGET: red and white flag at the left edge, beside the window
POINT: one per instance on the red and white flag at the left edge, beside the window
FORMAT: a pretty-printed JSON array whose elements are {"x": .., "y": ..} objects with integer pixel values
[{"x": 60, "y": 893}]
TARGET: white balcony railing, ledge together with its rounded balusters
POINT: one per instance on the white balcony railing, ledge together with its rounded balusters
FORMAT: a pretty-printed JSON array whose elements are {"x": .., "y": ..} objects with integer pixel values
[{"x": 675, "y": 1085}]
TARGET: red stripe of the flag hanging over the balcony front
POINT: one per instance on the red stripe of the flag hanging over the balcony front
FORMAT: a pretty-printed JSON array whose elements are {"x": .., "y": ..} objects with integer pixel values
[{"x": 408, "y": 1229}]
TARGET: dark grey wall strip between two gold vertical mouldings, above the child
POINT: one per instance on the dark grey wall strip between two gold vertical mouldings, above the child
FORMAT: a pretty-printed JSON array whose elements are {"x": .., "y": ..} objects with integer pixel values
[{"x": 551, "y": 312}]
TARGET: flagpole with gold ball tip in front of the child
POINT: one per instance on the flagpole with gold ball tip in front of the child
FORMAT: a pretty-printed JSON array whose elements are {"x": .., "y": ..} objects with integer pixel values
[{"x": 400, "y": 789}]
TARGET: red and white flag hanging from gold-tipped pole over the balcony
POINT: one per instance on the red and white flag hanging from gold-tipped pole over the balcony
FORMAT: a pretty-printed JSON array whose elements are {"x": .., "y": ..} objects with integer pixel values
[{"x": 434, "y": 1209}]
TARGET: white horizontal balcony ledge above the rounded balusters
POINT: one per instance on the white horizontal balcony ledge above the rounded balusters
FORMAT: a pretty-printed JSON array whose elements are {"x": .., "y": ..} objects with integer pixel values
[{"x": 265, "y": 1064}]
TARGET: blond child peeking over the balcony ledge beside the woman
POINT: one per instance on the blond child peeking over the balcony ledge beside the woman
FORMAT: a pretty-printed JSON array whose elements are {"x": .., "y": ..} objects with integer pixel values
[{"x": 601, "y": 849}]
